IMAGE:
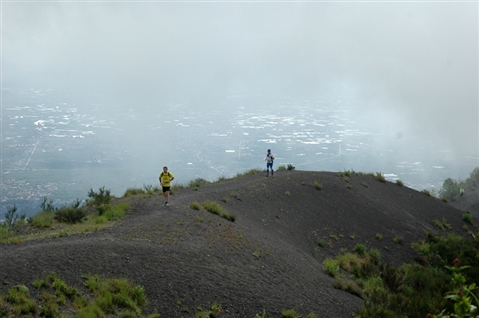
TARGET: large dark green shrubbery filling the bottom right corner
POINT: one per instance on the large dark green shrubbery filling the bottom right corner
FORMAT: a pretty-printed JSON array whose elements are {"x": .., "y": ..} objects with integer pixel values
[{"x": 414, "y": 290}]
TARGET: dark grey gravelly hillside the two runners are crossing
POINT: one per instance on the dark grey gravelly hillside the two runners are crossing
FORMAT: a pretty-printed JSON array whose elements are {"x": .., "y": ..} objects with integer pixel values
[{"x": 267, "y": 259}]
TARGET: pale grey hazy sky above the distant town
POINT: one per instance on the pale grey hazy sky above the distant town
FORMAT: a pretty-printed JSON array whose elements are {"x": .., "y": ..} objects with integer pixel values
[{"x": 412, "y": 66}]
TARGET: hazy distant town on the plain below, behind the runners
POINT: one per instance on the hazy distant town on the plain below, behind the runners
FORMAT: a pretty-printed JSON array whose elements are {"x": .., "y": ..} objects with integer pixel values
[{"x": 57, "y": 147}]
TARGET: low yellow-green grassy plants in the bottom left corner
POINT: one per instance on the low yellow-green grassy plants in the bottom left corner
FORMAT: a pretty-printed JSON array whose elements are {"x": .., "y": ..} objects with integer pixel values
[{"x": 116, "y": 297}]
